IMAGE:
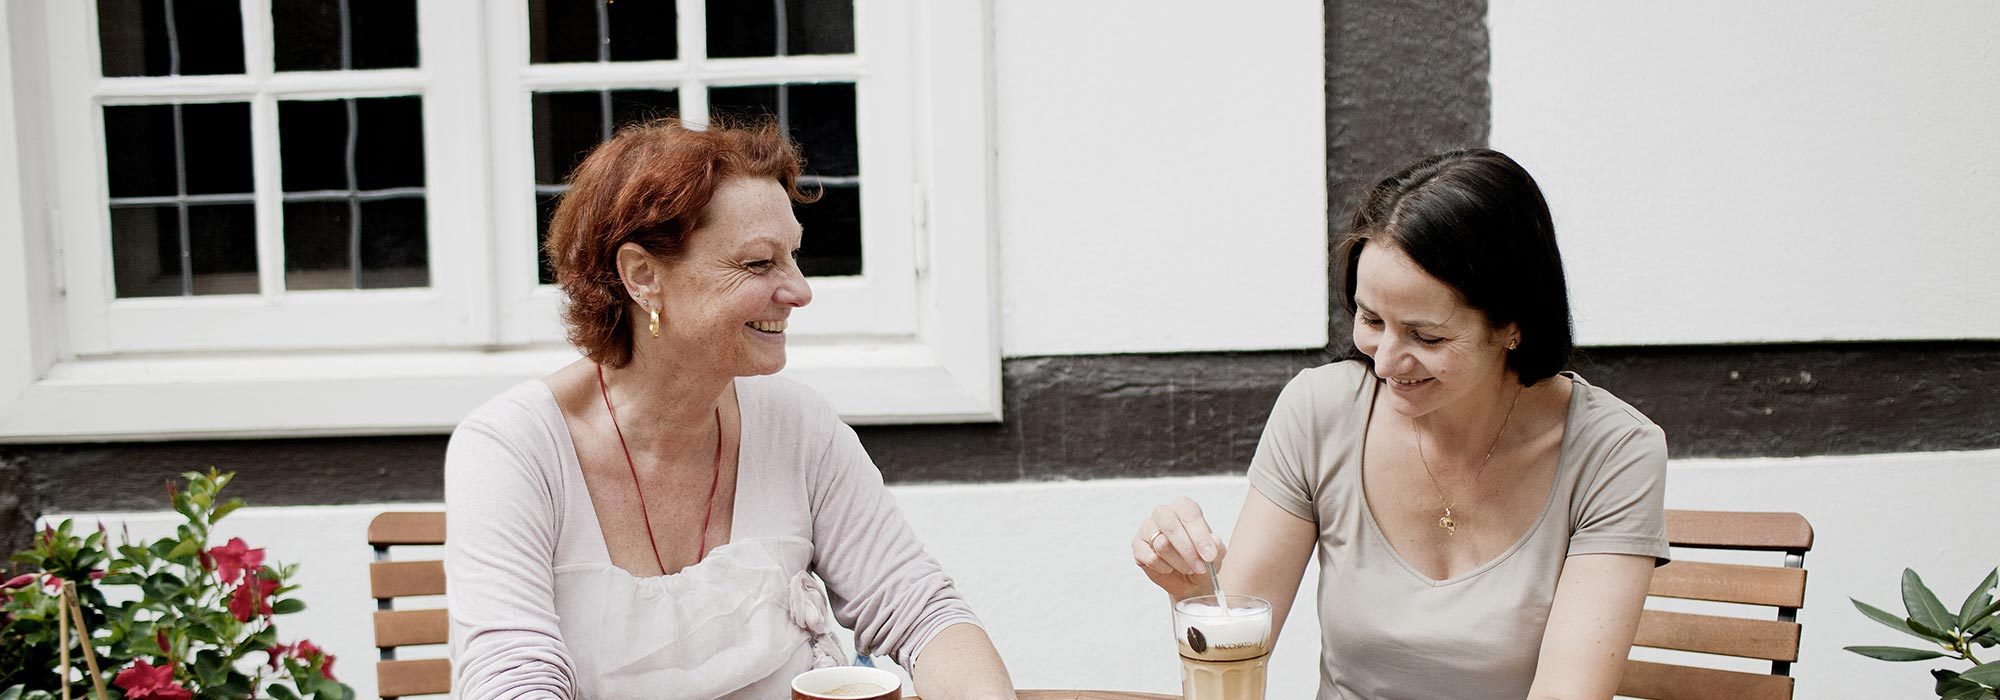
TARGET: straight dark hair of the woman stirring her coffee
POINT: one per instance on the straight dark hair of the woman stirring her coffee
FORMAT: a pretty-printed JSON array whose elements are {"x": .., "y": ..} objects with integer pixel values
[{"x": 1475, "y": 221}]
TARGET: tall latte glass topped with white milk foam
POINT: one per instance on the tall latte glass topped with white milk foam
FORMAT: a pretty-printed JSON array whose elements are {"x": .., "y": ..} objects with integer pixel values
[{"x": 1223, "y": 649}]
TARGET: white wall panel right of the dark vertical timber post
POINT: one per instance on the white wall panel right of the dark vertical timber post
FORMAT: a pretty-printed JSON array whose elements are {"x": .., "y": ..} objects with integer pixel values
[{"x": 1781, "y": 171}]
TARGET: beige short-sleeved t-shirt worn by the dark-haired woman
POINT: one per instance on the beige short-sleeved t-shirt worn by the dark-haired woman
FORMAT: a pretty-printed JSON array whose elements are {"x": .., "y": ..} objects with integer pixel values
[{"x": 1389, "y": 631}]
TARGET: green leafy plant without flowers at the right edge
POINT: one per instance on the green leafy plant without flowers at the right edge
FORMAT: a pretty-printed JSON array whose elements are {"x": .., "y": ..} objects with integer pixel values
[{"x": 1977, "y": 625}]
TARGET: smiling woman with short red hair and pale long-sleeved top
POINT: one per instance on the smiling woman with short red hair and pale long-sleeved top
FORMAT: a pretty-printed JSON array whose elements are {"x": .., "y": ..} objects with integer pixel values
[{"x": 657, "y": 519}]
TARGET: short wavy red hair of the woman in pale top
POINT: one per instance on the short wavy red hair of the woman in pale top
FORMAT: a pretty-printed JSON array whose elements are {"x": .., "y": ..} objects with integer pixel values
[{"x": 649, "y": 185}]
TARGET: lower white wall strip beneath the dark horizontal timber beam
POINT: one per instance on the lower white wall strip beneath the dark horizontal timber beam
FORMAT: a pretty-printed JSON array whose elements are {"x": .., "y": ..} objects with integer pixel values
[{"x": 1049, "y": 565}]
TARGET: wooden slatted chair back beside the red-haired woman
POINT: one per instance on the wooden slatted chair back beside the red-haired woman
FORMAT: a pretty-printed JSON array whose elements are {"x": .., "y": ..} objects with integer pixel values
[{"x": 395, "y": 629}]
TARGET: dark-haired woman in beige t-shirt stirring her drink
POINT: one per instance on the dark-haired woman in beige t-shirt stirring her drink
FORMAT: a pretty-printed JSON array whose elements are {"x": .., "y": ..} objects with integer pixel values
[{"x": 1485, "y": 523}]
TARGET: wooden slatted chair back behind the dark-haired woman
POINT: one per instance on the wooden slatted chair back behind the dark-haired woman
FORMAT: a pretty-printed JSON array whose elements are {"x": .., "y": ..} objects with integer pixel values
[{"x": 1777, "y": 587}]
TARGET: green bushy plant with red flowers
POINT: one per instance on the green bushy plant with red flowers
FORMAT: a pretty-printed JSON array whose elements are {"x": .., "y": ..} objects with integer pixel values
[{"x": 189, "y": 623}]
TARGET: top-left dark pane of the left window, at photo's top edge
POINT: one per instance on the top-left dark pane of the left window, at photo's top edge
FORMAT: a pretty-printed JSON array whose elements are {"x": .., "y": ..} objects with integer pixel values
[{"x": 135, "y": 39}]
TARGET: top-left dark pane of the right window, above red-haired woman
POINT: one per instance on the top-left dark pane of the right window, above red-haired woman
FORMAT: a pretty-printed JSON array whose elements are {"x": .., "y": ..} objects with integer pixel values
[{"x": 569, "y": 31}]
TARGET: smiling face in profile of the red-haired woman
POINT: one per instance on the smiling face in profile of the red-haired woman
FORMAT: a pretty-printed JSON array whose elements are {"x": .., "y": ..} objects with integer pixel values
[{"x": 725, "y": 301}]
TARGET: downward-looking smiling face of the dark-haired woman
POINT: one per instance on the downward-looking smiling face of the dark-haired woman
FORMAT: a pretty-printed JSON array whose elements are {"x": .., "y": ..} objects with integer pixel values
[{"x": 1429, "y": 347}]
